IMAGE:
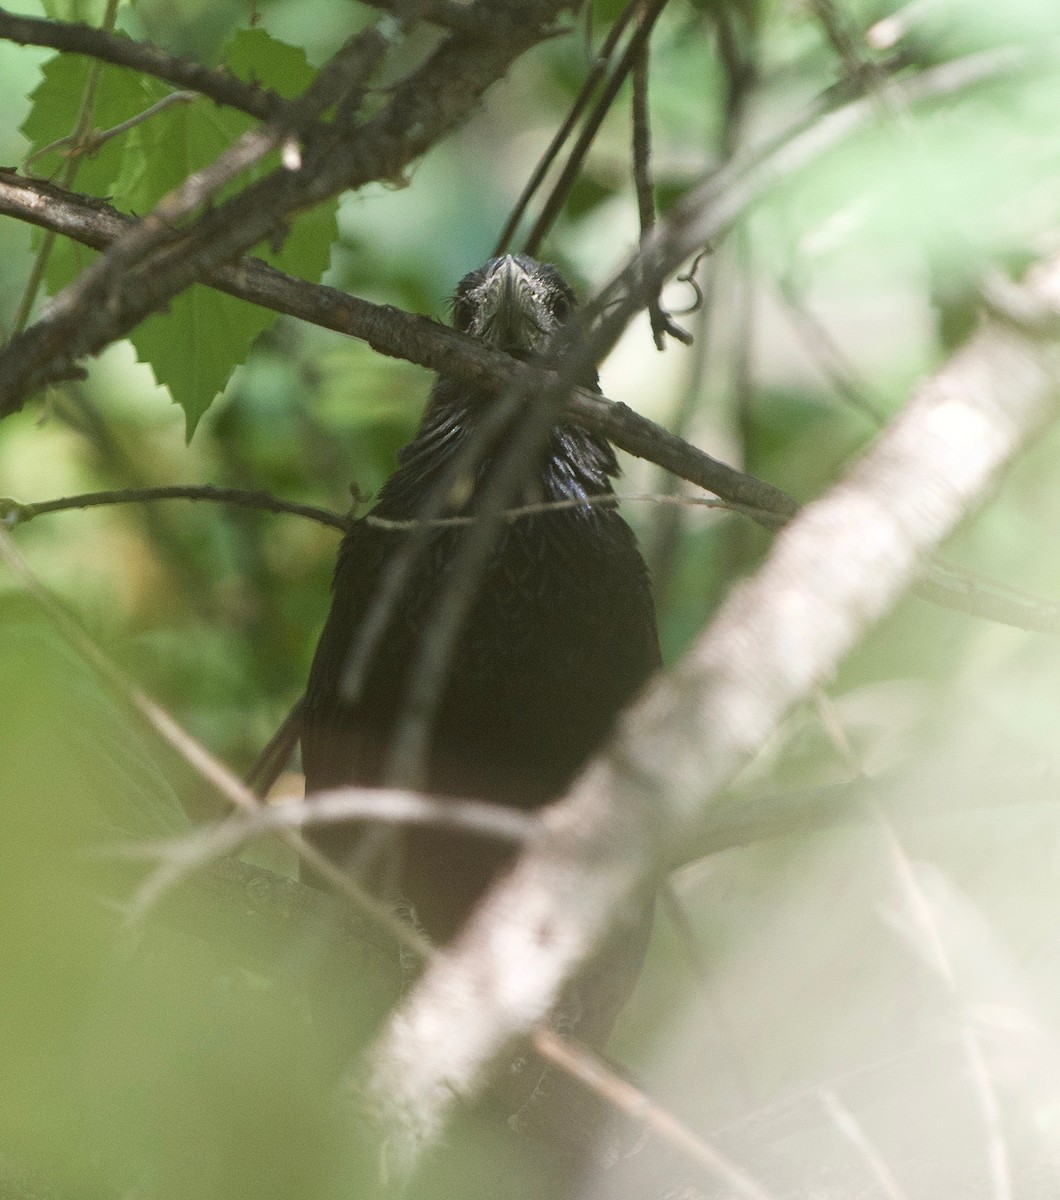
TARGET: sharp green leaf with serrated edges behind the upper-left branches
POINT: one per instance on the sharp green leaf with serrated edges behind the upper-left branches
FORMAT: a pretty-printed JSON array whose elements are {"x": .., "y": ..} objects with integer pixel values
[{"x": 196, "y": 345}]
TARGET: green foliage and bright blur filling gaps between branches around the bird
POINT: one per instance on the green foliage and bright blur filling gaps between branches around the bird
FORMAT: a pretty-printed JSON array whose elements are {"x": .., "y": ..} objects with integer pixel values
[{"x": 149, "y": 1067}]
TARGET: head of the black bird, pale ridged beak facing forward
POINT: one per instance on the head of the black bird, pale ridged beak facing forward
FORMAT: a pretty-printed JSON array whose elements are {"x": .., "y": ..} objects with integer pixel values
[{"x": 514, "y": 304}]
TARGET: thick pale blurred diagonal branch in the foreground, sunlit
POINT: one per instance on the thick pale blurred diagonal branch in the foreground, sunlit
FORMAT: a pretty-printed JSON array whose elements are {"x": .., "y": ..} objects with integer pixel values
[{"x": 834, "y": 572}]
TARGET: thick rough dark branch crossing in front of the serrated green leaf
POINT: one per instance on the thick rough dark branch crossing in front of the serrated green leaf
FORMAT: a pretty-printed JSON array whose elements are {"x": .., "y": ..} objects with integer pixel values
[{"x": 137, "y": 277}]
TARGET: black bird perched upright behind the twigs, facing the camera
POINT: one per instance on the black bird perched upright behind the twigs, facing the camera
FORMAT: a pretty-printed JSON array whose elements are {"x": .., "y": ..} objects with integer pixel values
[{"x": 559, "y": 639}]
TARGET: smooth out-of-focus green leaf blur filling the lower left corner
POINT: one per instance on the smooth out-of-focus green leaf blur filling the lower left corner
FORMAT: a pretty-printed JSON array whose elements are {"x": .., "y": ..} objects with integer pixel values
[{"x": 149, "y": 1049}]
